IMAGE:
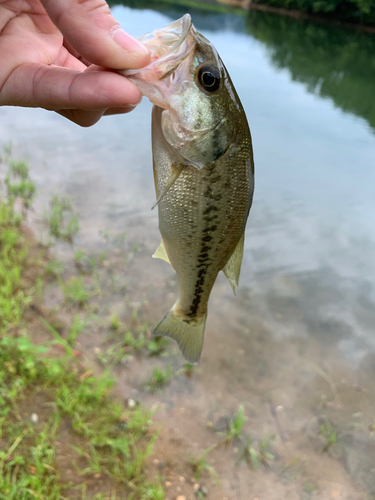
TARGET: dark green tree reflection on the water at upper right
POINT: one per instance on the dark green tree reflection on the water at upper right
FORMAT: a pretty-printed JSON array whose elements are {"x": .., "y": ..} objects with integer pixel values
[{"x": 332, "y": 62}]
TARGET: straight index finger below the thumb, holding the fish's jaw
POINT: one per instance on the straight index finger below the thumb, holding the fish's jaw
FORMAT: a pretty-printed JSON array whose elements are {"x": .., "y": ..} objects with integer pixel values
[{"x": 56, "y": 88}]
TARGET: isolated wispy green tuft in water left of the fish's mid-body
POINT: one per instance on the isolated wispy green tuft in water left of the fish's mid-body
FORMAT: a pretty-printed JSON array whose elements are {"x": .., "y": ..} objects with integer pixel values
[{"x": 62, "y": 222}]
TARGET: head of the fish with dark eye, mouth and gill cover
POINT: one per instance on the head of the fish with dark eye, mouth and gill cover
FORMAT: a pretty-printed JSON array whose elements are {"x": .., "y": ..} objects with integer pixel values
[{"x": 187, "y": 78}]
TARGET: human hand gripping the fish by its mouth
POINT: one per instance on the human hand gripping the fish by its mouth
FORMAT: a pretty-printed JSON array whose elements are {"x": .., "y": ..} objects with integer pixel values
[{"x": 55, "y": 54}]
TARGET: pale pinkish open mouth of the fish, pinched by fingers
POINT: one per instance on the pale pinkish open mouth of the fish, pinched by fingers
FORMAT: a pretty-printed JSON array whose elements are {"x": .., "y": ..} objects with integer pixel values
[{"x": 168, "y": 47}]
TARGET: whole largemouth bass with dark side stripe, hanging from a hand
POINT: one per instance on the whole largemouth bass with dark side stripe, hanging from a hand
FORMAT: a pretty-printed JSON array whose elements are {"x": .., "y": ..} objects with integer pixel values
[{"x": 203, "y": 171}]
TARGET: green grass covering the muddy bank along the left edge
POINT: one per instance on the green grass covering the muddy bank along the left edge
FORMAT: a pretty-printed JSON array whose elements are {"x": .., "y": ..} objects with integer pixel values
[{"x": 73, "y": 407}]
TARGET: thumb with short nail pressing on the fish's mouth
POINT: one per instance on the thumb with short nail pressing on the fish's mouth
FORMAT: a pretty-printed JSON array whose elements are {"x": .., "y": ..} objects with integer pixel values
[{"x": 90, "y": 28}]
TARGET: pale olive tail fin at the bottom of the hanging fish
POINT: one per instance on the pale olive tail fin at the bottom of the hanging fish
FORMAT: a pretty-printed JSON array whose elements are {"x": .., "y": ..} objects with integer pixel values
[{"x": 188, "y": 333}]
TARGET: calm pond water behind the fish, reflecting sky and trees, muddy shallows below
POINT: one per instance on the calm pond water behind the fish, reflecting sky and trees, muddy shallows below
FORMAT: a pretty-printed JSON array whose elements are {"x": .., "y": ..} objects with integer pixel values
[{"x": 296, "y": 346}]
